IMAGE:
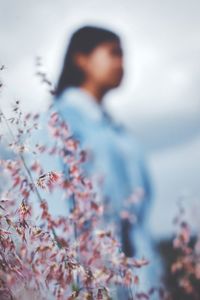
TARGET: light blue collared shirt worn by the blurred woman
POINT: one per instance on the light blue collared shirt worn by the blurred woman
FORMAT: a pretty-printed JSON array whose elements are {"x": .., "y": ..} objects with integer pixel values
[{"x": 117, "y": 155}]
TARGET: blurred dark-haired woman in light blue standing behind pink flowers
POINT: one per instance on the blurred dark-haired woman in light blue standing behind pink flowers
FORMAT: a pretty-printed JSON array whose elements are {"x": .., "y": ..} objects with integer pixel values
[{"x": 93, "y": 65}]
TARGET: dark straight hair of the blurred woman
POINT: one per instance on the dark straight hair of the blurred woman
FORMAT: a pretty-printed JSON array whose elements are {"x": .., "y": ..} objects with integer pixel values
[{"x": 84, "y": 40}]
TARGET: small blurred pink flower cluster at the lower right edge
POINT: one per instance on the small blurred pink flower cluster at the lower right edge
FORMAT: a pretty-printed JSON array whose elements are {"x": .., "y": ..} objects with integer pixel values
[{"x": 186, "y": 267}]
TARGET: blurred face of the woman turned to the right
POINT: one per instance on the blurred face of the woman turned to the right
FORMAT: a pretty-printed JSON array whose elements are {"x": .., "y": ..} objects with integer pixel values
[{"x": 104, "y": 65}]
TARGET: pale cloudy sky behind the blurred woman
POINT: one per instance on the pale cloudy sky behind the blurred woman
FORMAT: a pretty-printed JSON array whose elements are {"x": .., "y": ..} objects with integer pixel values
[{"x": 159, "y": 97}]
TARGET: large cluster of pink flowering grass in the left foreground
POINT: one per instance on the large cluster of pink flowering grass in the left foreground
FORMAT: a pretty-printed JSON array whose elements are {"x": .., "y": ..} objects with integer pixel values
[{"x": 64, "y": 257}]
